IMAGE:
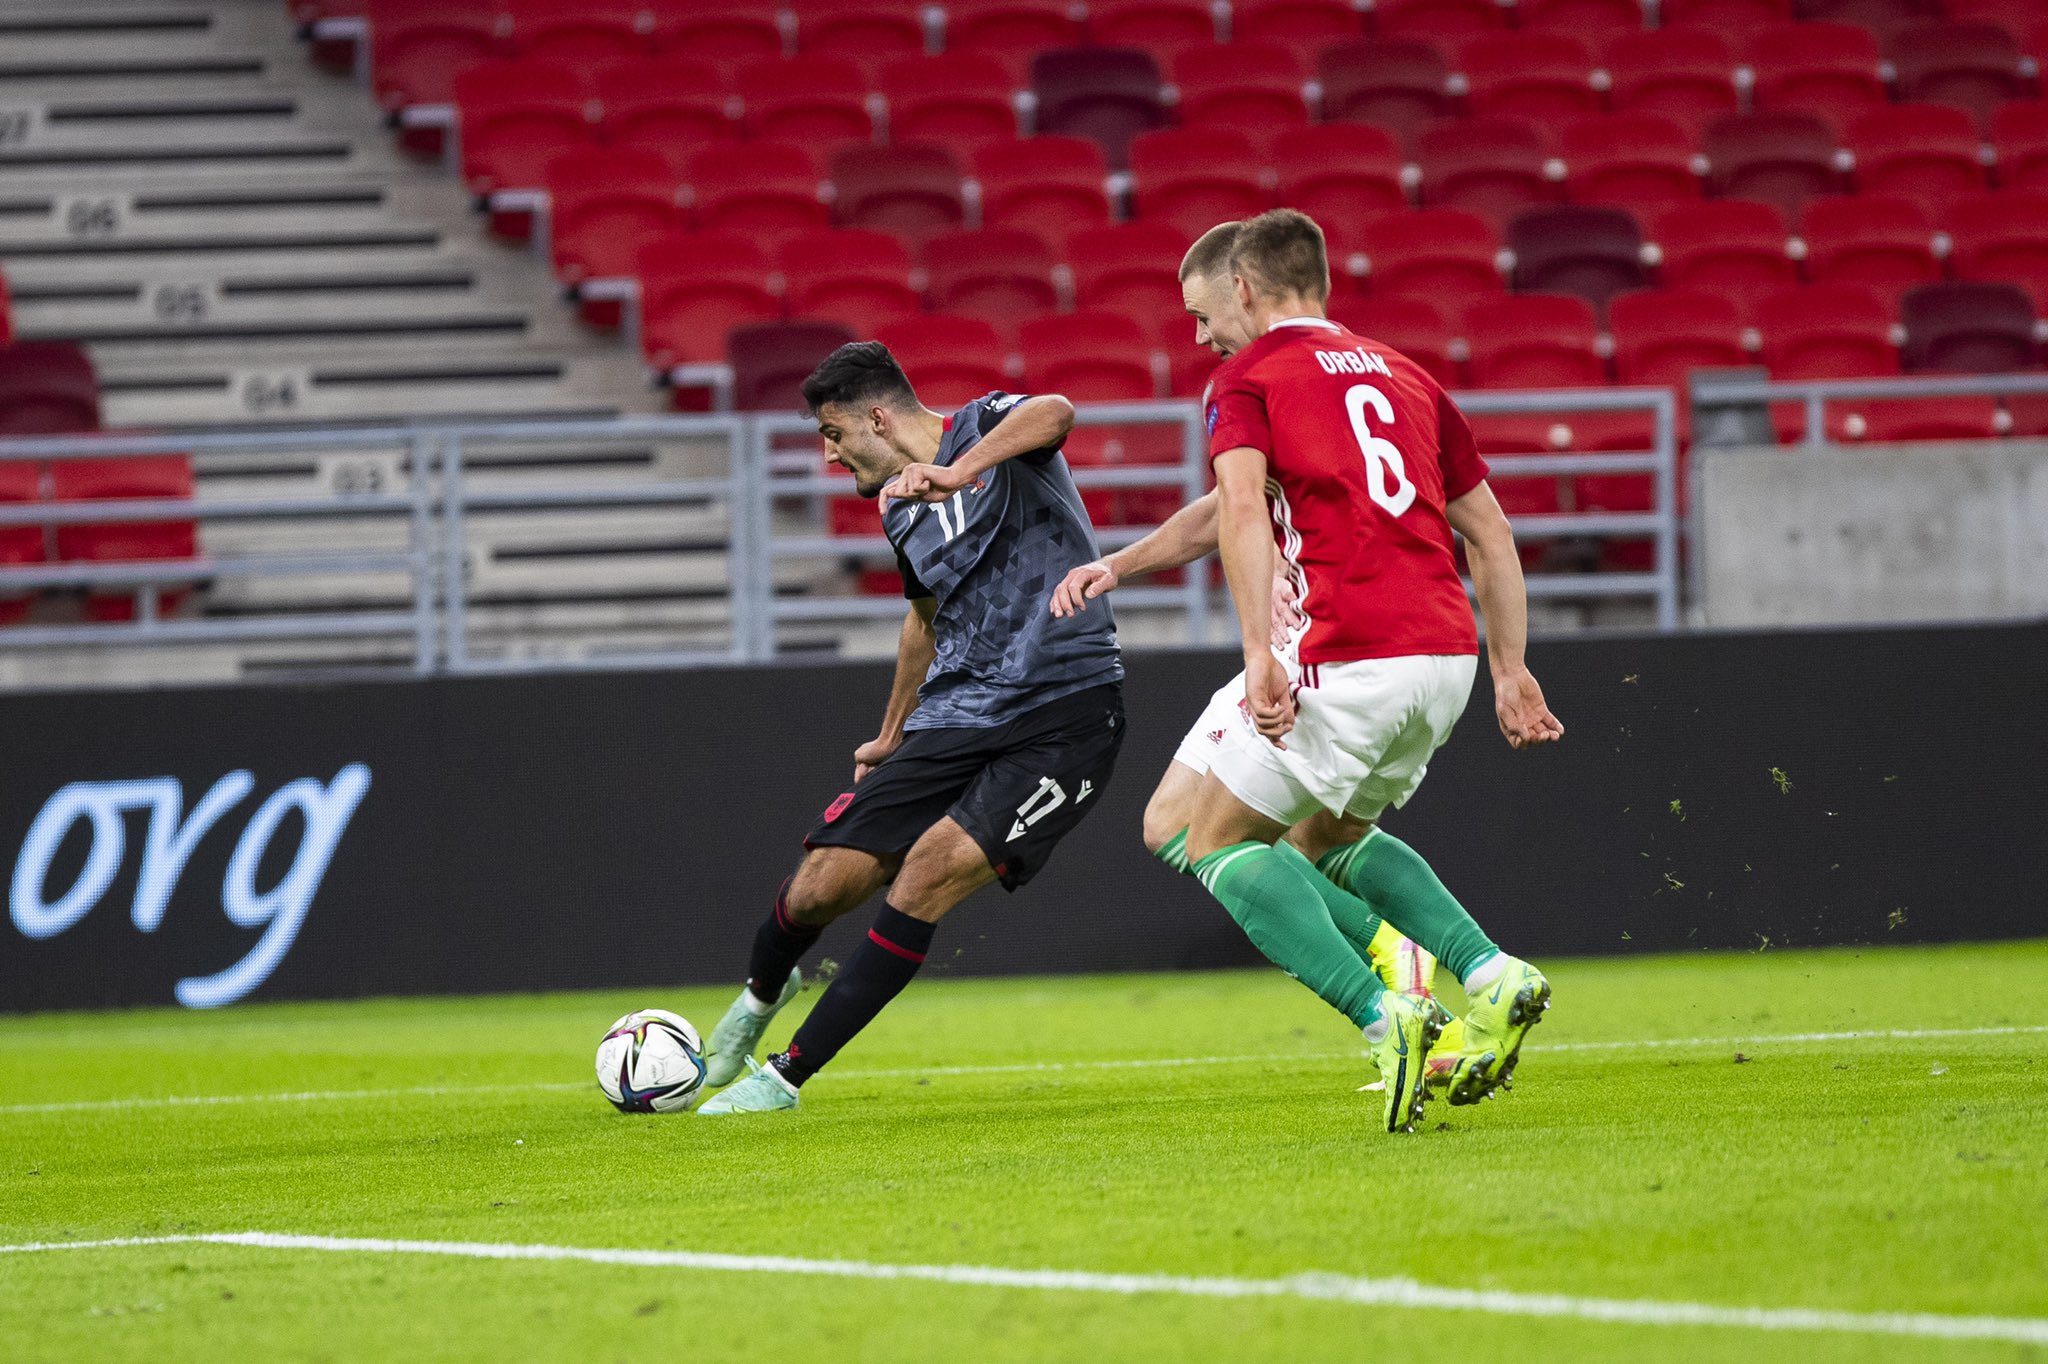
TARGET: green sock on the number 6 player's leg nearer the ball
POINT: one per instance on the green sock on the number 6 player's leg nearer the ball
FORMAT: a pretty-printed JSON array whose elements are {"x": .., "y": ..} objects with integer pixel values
[{"x": 1281, "y": 910}]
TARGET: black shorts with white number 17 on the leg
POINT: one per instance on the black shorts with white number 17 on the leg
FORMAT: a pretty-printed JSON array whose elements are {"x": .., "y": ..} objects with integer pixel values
[{"x": 1017, "y": 787}]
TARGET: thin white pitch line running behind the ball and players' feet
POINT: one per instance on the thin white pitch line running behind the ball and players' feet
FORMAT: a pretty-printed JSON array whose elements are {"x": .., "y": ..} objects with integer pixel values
[{"x": 1023, "y": 1068}]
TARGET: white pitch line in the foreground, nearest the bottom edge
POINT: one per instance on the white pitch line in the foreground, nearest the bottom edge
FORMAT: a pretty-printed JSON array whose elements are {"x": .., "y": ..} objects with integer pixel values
[{"x": 1306, "y": 1287}]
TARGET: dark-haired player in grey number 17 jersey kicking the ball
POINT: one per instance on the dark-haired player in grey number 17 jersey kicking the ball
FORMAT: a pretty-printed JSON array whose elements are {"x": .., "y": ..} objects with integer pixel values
[{"x": 1002, "y": 726}]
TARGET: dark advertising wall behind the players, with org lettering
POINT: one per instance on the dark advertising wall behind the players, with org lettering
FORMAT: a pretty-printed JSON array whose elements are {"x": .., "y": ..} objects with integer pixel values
[{"x": 630, "y": 828}]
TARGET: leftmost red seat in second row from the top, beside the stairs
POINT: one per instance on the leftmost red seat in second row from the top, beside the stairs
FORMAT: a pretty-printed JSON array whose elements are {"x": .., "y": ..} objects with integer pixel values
[{"x": 519, "y": 118}]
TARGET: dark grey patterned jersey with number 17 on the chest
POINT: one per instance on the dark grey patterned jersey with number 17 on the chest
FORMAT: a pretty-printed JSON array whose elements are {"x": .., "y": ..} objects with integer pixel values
[{"x": 990, "y": 556}]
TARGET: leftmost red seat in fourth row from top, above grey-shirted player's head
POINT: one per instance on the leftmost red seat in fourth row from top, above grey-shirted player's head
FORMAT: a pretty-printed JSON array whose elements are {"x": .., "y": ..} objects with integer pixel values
[{"x": 697, "y": 288}]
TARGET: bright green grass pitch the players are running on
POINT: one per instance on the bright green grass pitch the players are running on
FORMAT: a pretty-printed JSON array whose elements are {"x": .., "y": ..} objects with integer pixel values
[{"x": 1861, "y": 1175}]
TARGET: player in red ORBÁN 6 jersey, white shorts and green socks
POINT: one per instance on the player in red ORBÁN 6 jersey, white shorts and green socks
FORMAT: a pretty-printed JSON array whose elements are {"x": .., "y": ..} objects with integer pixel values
[{"x": 1355, "y": 466}]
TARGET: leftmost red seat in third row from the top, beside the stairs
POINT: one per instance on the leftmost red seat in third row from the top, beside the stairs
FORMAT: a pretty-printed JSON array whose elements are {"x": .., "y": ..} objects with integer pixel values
[{"x": 601, "y": 204}]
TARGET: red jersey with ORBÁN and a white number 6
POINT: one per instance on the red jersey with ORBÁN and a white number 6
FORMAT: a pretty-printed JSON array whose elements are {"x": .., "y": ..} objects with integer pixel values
[{"x": 1363, "y": 456}]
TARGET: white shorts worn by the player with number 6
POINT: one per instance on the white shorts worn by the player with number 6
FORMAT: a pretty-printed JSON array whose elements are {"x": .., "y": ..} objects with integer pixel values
[{"x": 1363, "y": 738}]
